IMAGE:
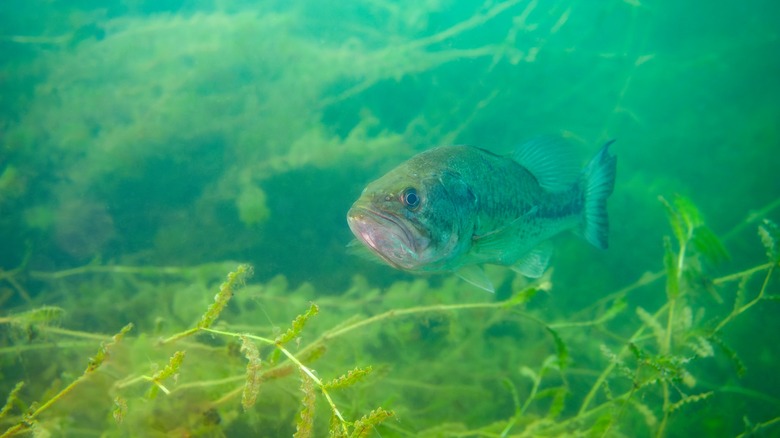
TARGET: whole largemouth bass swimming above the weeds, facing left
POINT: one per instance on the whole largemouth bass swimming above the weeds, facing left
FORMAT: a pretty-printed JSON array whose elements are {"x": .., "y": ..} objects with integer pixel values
[{"x": 453, "y": 209}]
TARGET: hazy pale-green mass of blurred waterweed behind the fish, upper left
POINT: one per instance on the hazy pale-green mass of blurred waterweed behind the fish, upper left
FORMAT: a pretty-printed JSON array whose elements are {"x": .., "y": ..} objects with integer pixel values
[{"x": 233, "y": 99}]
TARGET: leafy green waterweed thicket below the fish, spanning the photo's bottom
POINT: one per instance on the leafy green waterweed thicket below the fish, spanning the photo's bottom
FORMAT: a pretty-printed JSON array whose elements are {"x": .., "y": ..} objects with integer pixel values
[{"x": 230, "y": 373}]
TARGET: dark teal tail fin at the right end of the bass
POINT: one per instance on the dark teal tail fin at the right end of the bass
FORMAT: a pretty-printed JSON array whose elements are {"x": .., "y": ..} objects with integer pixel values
[{"x": 598, "y": 179}]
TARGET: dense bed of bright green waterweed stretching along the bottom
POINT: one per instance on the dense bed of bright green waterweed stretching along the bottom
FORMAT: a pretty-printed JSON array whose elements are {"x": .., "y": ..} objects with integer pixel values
[{"x": 455, "y": 365}]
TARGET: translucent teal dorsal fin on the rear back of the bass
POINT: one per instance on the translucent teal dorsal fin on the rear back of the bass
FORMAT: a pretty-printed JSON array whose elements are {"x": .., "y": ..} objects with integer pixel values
[{"x": 552, "y": 160}]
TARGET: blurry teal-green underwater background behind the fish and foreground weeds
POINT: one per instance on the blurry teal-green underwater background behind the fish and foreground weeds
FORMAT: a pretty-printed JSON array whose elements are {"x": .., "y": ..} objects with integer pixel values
[{"x": 184, "y": 134}]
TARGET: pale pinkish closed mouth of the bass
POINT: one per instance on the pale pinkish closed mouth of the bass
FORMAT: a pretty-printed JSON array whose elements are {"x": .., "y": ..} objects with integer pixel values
[{"x": 386, "y": 235}]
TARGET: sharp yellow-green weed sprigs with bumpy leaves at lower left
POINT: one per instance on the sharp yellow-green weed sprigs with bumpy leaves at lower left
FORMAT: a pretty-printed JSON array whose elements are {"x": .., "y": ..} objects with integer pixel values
[{"x": 168, "y": 374}]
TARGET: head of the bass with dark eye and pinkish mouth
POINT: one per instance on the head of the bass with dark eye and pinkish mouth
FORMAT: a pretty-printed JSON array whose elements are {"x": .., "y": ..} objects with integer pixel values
[{"x": 410, "y": 219}]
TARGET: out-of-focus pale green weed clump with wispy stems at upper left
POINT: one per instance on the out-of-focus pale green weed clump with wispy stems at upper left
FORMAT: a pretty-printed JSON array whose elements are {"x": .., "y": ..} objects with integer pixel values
[{"x": 240, "y": 82}]
